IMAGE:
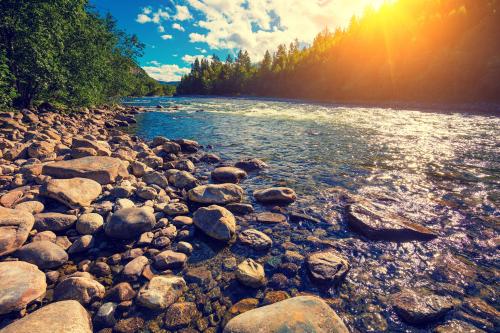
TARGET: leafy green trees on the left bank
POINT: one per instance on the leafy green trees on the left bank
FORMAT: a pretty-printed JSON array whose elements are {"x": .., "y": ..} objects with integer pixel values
[{"x": 64, "y": 51}]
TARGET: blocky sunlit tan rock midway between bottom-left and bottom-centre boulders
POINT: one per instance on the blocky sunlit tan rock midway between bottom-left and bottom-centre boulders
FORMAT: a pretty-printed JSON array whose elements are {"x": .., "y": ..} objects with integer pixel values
[{"x": 161, "y": 292}]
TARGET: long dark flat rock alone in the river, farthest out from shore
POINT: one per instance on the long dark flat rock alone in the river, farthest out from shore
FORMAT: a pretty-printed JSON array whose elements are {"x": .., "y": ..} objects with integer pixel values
[{"x": 375, "y": 224}]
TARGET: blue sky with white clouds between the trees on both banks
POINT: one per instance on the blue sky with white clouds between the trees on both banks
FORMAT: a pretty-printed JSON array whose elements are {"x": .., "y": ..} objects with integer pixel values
[{"x": 175, "y": 32}]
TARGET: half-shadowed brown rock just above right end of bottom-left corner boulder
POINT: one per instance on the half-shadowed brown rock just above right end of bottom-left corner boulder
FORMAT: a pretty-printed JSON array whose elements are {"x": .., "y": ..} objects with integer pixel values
[{"x": 80, "y": 287}]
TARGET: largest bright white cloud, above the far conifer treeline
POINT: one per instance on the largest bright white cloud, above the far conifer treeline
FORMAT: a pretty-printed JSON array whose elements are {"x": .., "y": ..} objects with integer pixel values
[{"x": 260, "y": 25}]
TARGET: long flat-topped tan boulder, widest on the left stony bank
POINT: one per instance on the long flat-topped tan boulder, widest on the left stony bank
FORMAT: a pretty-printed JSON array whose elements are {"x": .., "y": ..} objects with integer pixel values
[{"x": 102, "y": 169}]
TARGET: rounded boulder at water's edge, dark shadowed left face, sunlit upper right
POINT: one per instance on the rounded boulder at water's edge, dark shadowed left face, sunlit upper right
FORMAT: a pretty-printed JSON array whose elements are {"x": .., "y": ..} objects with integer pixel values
[{"x": 215, "y": 221}]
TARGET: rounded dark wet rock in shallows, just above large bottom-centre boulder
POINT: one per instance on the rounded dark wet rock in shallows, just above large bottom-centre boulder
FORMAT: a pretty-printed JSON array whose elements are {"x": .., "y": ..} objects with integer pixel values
[{"x": 327, "y": 266}]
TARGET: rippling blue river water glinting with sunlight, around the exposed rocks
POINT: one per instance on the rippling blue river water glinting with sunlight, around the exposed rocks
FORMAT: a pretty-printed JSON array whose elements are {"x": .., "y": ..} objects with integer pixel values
[{"x": 441, "y": 170}]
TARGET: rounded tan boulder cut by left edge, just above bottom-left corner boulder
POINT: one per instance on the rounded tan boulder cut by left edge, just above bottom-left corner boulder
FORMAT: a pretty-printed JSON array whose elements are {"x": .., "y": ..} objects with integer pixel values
[{"x": 21, "y": 284}]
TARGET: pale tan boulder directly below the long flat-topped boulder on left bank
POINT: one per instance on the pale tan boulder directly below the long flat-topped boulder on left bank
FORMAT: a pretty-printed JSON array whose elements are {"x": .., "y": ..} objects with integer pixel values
[{"x": 74, "y": 192}]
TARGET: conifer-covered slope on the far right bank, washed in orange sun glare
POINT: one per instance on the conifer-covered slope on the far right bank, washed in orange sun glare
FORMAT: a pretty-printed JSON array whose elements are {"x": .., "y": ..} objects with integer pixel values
[{"x": 408, "y": 50}]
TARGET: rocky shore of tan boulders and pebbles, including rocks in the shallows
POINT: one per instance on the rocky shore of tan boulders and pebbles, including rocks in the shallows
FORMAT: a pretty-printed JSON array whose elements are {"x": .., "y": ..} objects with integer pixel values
[{"x": 101, "y": 231}]
